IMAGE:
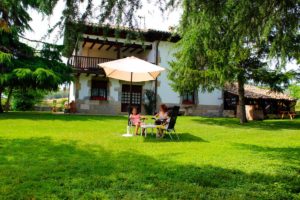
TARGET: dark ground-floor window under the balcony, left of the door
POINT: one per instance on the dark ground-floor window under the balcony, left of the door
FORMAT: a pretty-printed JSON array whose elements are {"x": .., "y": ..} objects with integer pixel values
[{"x": 99, "y": 90}]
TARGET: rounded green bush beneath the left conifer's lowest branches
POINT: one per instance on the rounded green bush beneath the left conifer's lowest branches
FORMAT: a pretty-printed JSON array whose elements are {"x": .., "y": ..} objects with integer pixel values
[{"x": 26, "y": 99}]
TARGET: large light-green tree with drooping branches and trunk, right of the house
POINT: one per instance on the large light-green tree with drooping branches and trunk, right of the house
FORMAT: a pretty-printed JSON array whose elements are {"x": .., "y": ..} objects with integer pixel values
[{"x": 230, "y": 41}]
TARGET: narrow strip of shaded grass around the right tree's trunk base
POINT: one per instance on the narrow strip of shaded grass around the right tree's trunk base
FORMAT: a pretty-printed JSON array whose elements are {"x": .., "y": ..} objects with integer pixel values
[{"x": 265, "y": 125}]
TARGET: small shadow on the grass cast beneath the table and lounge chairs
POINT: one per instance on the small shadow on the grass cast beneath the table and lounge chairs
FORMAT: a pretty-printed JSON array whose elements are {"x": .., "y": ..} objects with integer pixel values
[{"x": 183, "y": 137}]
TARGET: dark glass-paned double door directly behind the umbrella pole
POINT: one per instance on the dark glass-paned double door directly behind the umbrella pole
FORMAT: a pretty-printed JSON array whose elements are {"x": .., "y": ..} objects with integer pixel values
[{"x": 136, "y": 97}]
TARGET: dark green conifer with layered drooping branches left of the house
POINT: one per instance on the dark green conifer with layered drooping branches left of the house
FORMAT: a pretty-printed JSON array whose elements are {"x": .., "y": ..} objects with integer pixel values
[{"x": 20, "y": 65}]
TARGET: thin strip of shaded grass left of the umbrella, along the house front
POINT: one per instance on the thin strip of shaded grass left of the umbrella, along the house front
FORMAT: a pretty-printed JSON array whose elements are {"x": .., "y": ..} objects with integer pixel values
[{"x": 59, "y": 117}]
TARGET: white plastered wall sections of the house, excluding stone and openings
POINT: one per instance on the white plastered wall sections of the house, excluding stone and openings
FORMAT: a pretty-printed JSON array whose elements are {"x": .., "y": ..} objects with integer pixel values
[{"x": 164, "y": 90}]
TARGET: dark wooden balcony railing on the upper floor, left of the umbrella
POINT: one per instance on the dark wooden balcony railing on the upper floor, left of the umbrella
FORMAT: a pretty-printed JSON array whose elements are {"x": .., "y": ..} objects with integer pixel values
[{"x": 89, "y": 65}]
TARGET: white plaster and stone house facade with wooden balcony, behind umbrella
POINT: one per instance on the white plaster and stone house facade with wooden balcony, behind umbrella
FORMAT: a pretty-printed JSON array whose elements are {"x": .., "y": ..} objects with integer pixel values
[{"x": 94, "y": 93}]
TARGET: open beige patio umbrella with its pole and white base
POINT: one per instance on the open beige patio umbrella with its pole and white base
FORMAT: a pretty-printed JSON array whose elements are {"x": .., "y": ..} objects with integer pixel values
[{"x": 131, "y": 69}]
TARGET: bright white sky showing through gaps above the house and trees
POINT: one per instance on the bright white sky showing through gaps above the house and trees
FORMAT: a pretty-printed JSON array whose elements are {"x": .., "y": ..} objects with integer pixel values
[{"x": 153, "y": 17}]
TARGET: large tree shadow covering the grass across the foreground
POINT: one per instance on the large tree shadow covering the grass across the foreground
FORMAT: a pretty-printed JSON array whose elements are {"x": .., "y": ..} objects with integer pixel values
[{"x": 40, "y": 168}]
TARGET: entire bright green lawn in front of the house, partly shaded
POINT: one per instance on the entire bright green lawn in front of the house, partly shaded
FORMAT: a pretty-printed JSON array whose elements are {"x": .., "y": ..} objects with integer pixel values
[{"x": 85, "y": 157}]
